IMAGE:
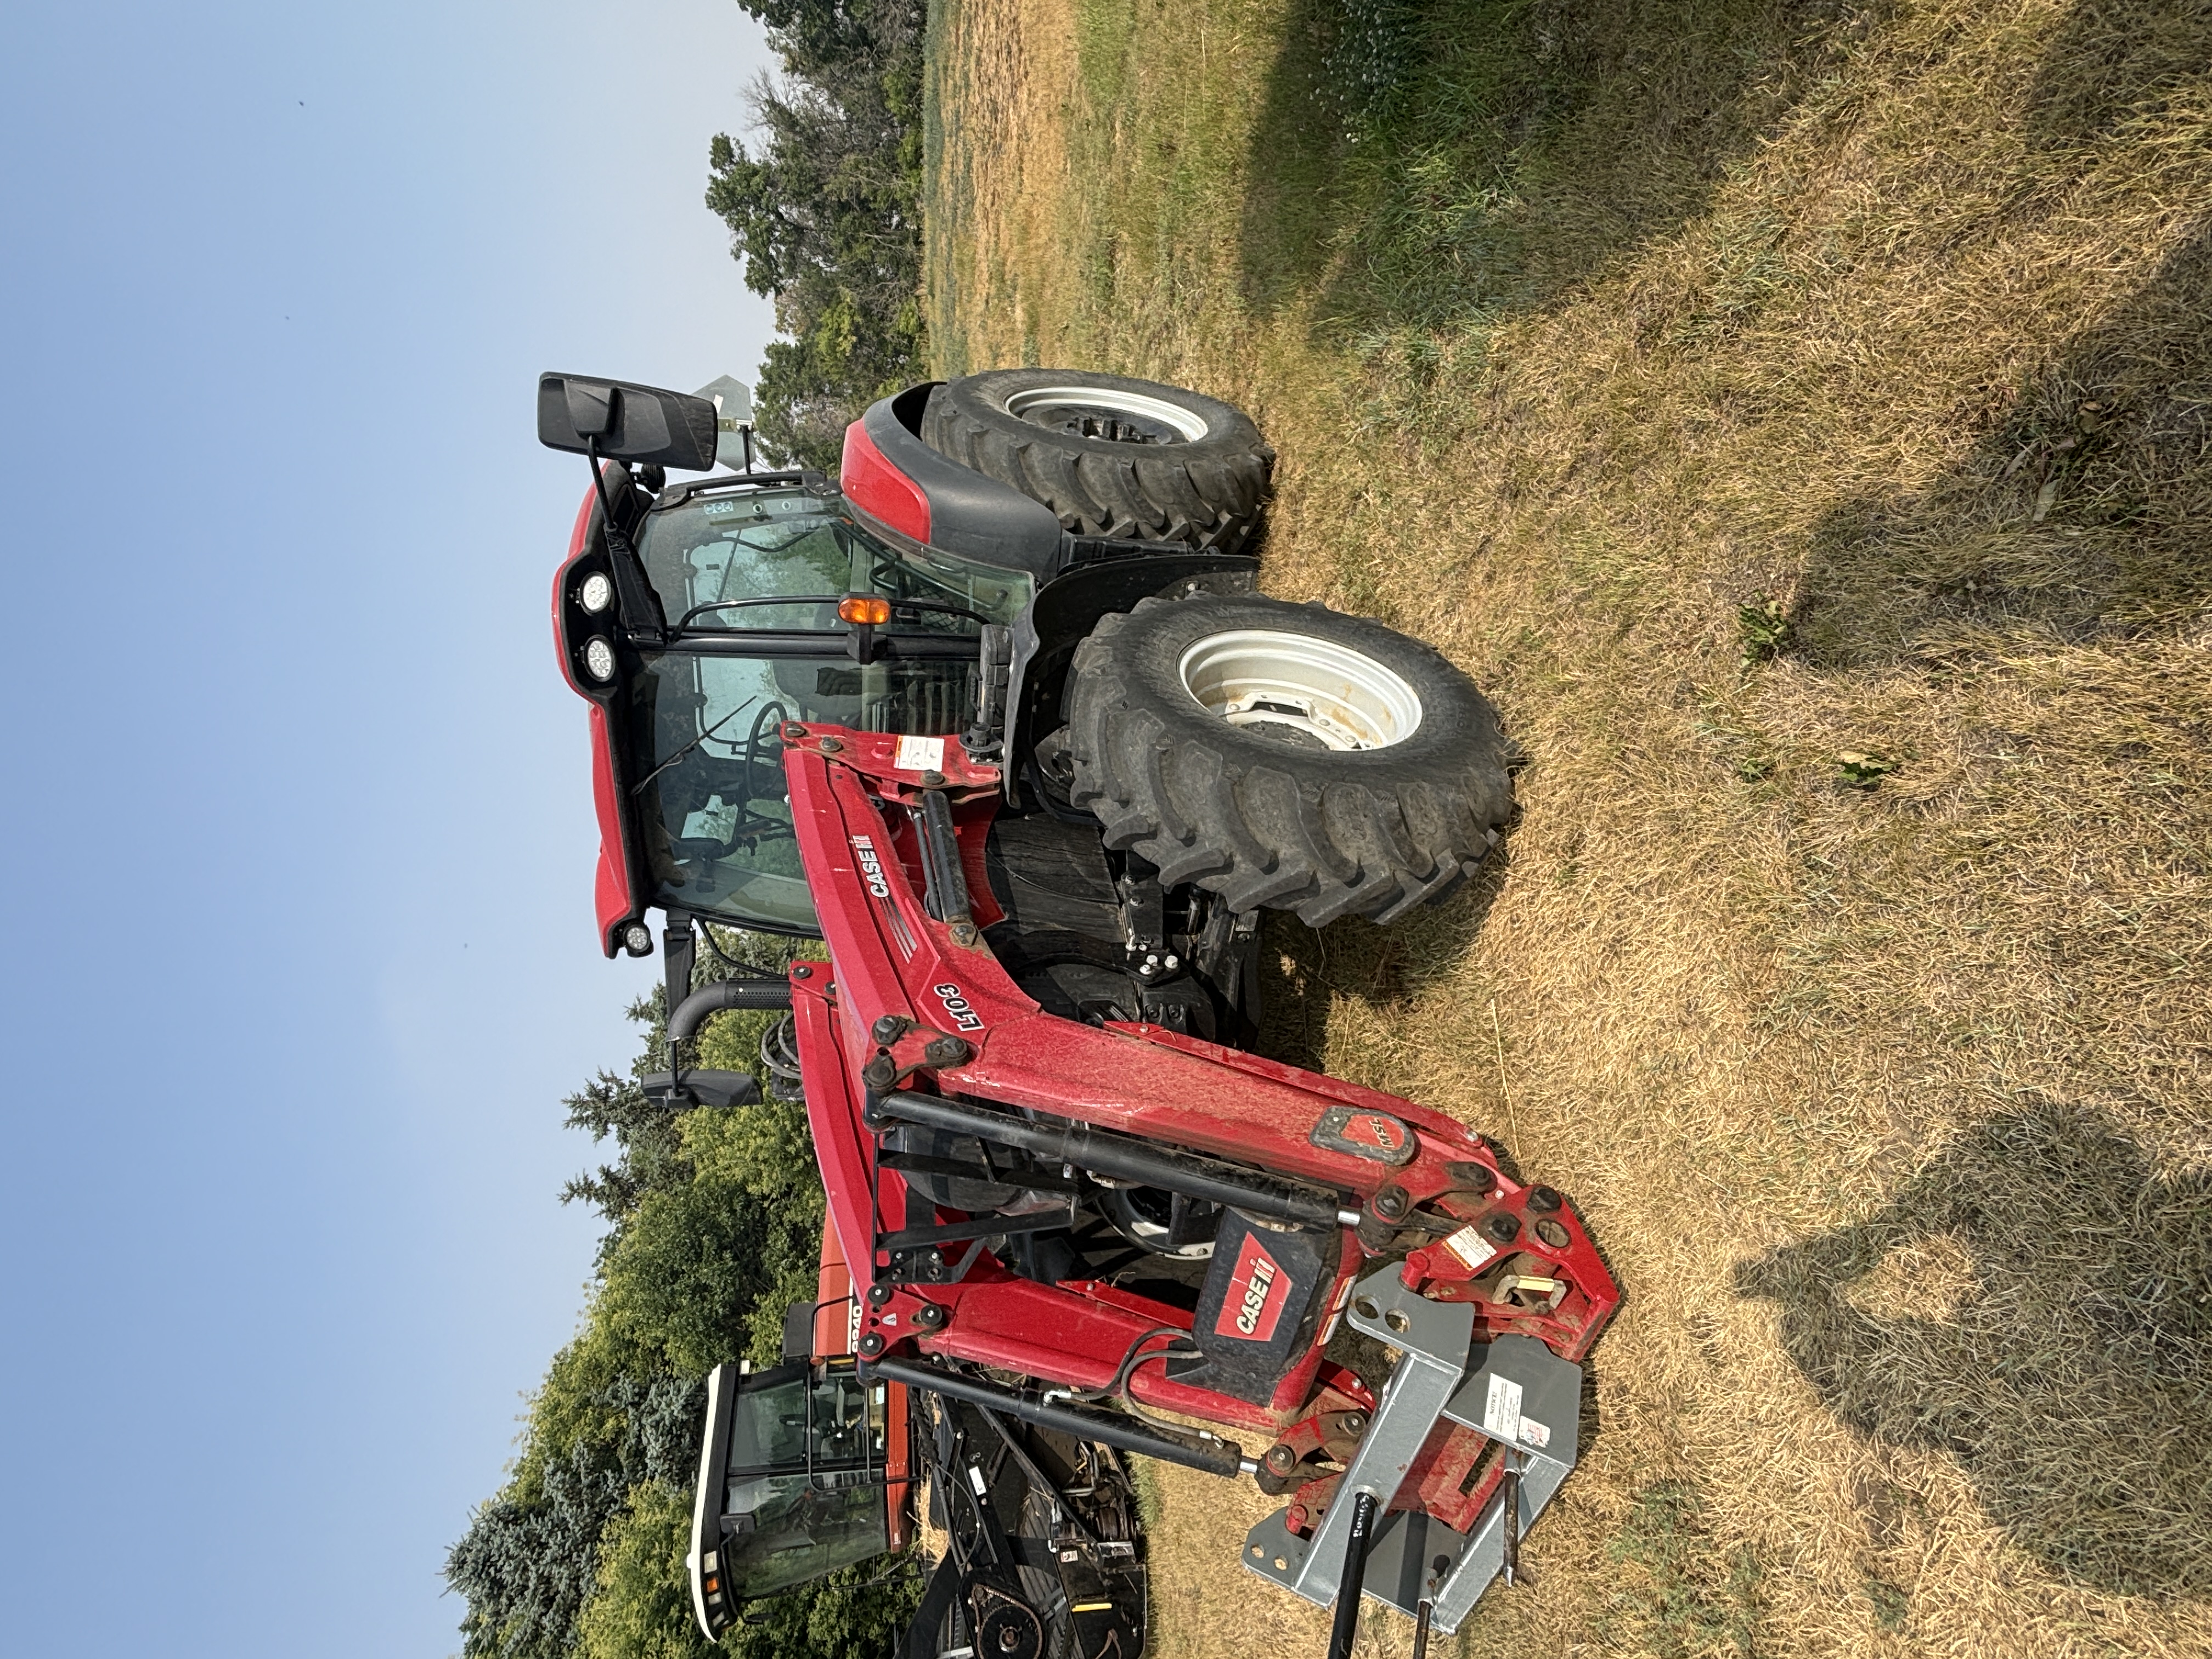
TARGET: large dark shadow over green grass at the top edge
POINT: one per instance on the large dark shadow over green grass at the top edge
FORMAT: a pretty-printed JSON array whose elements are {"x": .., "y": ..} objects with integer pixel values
[{"x": 1474, "y": 158}]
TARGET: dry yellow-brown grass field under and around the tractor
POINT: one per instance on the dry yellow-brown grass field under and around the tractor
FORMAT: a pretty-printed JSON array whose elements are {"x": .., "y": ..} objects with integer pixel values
[{"x": 1795, "y": 417}]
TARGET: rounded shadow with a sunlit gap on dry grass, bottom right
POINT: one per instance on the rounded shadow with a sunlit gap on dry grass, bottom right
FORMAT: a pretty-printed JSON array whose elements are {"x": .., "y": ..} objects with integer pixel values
[{"x": 2069, "y": 1361}]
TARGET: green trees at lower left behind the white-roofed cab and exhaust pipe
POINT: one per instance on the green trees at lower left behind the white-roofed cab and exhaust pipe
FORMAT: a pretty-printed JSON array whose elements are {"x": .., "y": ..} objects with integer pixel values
[{"x": 713, "y": 1229}]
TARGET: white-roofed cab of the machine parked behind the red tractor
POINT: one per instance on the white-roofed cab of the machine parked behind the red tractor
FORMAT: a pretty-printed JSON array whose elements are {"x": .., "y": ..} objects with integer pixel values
[{"x": 795, "y": 1481}]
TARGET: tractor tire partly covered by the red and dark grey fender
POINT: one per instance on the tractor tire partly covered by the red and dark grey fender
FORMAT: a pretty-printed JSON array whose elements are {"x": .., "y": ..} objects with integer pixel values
[{"x": 1112, "y": 457}]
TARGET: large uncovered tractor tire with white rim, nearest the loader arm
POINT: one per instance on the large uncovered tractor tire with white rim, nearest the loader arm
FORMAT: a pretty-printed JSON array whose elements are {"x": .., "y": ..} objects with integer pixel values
[{"x": 1286, "y": 758}]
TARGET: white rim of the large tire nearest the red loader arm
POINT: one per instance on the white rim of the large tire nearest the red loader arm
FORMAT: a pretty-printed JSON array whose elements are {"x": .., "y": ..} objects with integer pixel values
[{"x": 1300, "y": 689}]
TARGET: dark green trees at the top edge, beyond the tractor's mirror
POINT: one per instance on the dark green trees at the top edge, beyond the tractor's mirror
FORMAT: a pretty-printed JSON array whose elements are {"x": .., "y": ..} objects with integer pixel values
[{"x": 824, "y": 211}]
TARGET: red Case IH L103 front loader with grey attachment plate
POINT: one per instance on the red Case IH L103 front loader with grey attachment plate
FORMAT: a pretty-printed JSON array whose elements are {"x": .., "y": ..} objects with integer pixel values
[{"x": 1344, "y": 1204}]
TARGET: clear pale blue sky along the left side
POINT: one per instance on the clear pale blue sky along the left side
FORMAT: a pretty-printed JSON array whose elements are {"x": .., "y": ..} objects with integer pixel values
[{"x": 298, "y": 822}]
